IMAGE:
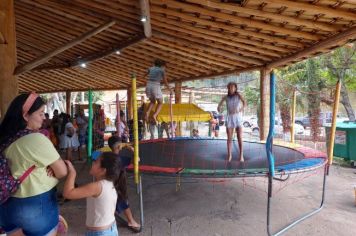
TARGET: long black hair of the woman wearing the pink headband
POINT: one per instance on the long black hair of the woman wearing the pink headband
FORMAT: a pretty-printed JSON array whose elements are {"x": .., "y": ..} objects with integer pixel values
[{"x": 13, "y": 120}]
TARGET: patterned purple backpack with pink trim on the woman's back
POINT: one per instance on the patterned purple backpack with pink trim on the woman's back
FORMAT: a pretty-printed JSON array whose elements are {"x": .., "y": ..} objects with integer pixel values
[{"x": 8, "y": 184}]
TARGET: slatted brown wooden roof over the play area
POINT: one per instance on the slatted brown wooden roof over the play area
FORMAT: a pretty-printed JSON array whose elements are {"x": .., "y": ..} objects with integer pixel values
[{"x": 197, "y": 38}]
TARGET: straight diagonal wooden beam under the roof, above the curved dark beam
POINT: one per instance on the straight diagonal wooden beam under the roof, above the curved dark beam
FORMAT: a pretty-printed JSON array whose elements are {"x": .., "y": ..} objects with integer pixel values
[{"x": 44, "y": 58}]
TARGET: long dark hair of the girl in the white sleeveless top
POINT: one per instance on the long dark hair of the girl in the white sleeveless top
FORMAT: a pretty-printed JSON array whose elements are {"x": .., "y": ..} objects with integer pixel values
[{"x": 115, "y": 172}]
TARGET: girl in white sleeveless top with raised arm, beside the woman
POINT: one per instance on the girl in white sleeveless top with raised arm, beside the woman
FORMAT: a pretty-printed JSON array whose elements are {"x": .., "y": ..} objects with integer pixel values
[{"x": 101, "y": 195}]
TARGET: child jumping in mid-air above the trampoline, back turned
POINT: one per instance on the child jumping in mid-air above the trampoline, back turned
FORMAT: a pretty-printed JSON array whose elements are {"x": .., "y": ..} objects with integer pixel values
[{"x": 155, "y": 75}]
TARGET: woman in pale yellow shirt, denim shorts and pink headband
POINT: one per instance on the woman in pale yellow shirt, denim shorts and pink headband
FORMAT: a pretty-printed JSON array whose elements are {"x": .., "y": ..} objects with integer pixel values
[{"x": 33, "y": 208}]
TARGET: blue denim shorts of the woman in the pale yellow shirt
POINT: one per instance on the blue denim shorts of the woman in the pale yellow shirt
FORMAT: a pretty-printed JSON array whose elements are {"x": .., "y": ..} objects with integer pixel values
[{"x": 36, "y": 215}]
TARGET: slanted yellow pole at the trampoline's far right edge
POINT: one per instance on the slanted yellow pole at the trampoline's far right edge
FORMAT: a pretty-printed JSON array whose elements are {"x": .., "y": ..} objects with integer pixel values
[{"x": 333, "y": 124}]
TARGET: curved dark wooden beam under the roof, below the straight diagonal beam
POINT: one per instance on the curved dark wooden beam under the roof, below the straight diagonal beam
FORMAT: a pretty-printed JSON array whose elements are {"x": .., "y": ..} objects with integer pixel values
[{"x": 97, "y": 55}]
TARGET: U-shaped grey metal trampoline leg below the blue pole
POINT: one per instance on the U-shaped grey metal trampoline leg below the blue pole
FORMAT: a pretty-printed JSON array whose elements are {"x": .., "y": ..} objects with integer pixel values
[{"x": 297, "y": 221}]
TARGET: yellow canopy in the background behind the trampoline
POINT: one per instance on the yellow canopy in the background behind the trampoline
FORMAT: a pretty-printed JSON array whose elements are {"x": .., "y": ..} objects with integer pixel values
[{"x": 181, "y": 112}]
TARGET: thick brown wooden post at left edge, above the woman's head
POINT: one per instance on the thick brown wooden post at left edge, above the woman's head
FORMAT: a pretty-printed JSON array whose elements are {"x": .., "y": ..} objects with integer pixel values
[{"x": 8, "y": 82}]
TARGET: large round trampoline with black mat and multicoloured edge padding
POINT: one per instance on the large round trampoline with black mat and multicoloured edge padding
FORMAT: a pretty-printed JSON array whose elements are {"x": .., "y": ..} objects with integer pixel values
[{"x": 207, "y": 158}]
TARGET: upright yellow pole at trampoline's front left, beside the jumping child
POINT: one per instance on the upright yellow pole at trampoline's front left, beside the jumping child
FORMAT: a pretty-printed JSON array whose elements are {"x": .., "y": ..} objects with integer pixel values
[{"x": 135, "y": 127}]
